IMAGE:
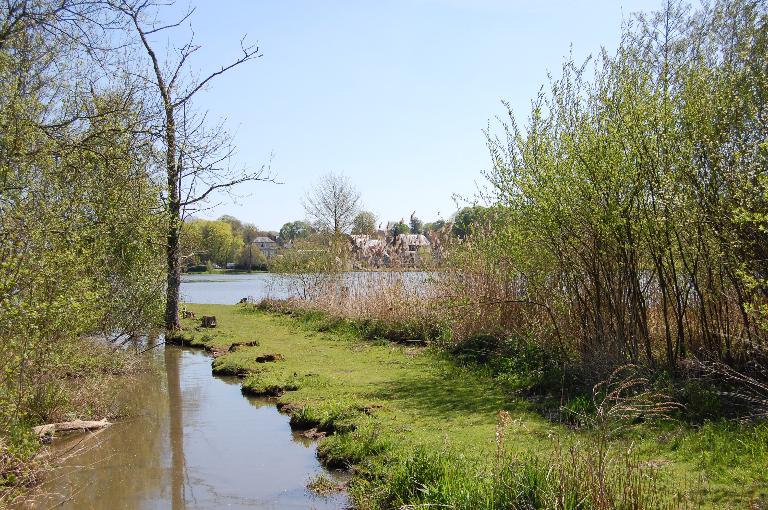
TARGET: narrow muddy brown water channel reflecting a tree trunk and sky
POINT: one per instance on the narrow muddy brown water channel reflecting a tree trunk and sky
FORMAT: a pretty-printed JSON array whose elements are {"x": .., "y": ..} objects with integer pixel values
[{"x": 197, "y": 443}]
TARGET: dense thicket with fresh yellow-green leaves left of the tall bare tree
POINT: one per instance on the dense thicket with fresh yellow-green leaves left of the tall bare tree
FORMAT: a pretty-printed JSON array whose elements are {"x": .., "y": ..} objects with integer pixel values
[{"x": 81, "y": 248}]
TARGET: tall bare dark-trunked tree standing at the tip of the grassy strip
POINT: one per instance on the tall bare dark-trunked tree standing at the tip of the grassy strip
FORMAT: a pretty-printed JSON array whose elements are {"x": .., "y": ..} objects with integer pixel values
[{"x": 196, "y": 156}]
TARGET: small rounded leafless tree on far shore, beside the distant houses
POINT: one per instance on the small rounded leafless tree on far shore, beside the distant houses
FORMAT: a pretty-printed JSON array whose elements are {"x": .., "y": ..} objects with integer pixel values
[{"x": 333, "y": 204}]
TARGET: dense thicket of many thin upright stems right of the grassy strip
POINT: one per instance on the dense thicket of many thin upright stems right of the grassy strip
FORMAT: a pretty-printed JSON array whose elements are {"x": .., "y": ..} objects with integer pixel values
[{"x": 631, "y": 211}]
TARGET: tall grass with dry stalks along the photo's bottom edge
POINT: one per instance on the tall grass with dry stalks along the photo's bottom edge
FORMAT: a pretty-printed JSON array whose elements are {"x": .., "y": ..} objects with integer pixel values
[{"x": 571, "y": 478}]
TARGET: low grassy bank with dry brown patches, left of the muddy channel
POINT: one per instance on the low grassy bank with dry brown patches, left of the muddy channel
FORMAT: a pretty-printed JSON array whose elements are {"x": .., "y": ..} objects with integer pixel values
[{"x": 83, "y": 380}]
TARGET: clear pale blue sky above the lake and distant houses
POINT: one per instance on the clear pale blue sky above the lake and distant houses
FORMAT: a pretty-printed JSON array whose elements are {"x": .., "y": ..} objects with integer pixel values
[{"x": 393, "y": 93}]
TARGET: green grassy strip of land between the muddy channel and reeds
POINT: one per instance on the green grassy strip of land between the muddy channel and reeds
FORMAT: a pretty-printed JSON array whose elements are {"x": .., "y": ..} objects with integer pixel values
[{"x": 419, "y": 429}]
